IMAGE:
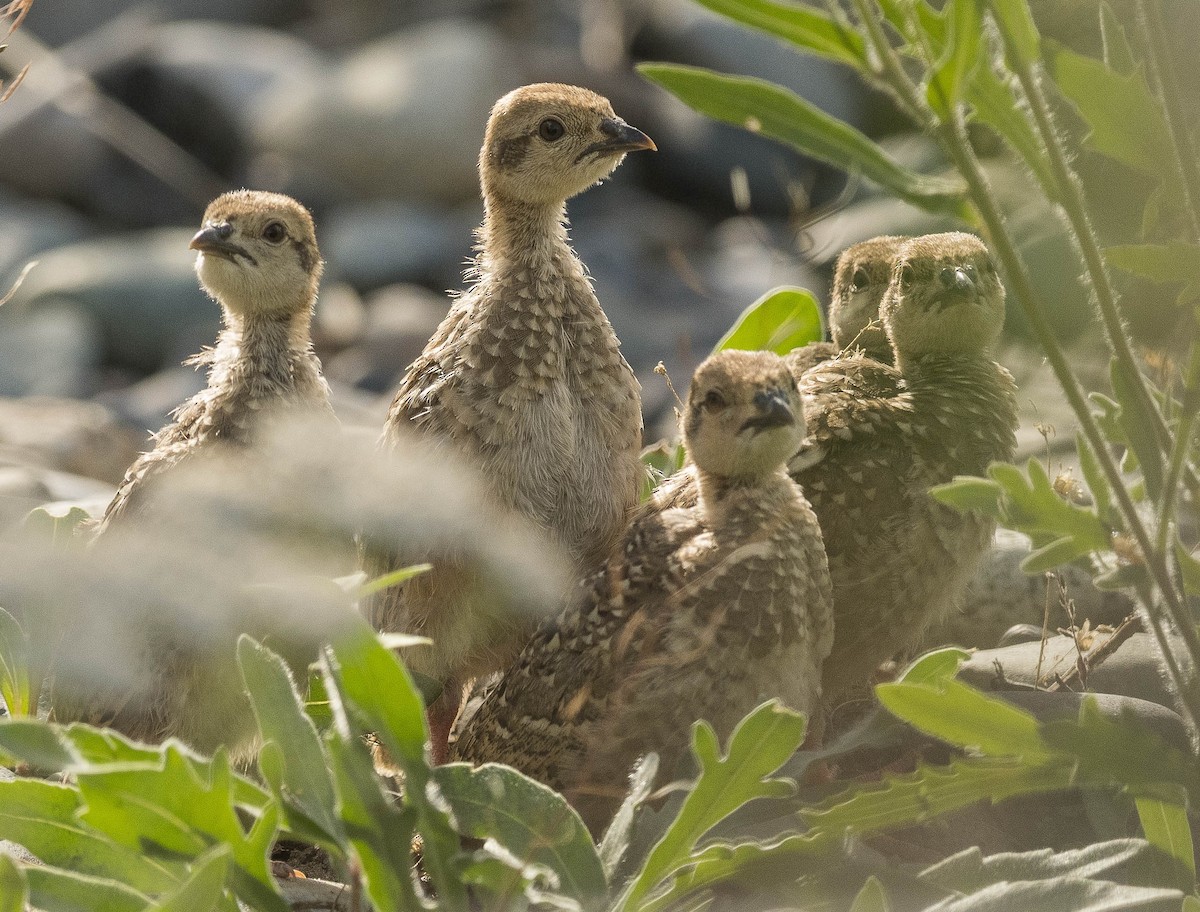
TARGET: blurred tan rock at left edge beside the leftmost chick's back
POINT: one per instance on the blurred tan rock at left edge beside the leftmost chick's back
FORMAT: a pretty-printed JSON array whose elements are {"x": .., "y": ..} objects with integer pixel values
[{"x": 83, "y": 439}]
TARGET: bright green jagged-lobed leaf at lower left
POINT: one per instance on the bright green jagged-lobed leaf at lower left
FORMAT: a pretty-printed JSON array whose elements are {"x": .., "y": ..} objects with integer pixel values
[{"x": 181, "y": 811}]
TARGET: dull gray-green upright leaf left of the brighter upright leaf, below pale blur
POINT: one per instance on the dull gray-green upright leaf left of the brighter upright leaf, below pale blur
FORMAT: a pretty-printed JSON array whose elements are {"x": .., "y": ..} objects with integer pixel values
[{"x": 281, "y": 721}]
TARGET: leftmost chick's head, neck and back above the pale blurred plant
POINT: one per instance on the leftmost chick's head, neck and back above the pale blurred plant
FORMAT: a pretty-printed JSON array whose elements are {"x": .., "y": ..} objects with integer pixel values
[{"x": 257, "y": 257}]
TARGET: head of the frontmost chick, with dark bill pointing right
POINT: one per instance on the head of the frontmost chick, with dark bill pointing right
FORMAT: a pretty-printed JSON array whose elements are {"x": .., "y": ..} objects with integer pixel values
[{"x": 745, "y": 415}]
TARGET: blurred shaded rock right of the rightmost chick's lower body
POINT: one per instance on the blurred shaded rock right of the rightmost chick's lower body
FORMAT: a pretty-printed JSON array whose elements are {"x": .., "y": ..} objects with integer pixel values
[{"x": 1003, "y": 596}]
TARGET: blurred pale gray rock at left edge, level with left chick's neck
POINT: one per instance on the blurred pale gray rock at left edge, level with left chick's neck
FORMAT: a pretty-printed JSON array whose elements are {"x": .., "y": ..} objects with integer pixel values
[{"x": 50, "y": 352}]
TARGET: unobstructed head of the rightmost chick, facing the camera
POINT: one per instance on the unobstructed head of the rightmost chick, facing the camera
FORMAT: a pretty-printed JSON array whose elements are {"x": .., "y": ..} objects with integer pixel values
[{"x": 945, "y": 297}]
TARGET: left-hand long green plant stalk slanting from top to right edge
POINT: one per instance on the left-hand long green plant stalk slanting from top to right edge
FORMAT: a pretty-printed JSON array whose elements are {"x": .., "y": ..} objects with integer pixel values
[{"x": 955, "y": 141}]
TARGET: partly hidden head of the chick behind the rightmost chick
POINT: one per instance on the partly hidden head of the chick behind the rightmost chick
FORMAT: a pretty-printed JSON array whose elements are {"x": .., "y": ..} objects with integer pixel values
[{"x": 860, "y": 281}]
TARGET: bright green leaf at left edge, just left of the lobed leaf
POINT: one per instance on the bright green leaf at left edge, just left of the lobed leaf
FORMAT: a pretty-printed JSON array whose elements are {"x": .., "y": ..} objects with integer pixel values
[{"x": 44, "y": 818}]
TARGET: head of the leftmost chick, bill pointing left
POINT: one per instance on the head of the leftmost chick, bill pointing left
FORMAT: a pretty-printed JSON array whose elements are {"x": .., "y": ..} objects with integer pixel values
[{"x": 259, "y": 254}]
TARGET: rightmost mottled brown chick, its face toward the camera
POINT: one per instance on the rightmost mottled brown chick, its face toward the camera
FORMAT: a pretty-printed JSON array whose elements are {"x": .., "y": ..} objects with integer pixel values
[{"x": 880, "y": 437}]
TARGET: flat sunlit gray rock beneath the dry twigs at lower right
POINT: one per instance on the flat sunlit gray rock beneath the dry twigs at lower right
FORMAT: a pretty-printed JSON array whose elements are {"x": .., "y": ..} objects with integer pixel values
[{"x": 1135, "y": 670}]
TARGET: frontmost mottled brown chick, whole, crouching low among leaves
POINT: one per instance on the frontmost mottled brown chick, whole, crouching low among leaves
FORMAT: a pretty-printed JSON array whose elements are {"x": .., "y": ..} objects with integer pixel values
[{"x": 704, "y": 614}]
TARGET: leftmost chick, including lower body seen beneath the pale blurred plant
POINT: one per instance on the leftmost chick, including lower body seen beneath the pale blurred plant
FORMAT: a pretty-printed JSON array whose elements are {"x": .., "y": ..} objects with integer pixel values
[{"x": 257, "y": 257}]
